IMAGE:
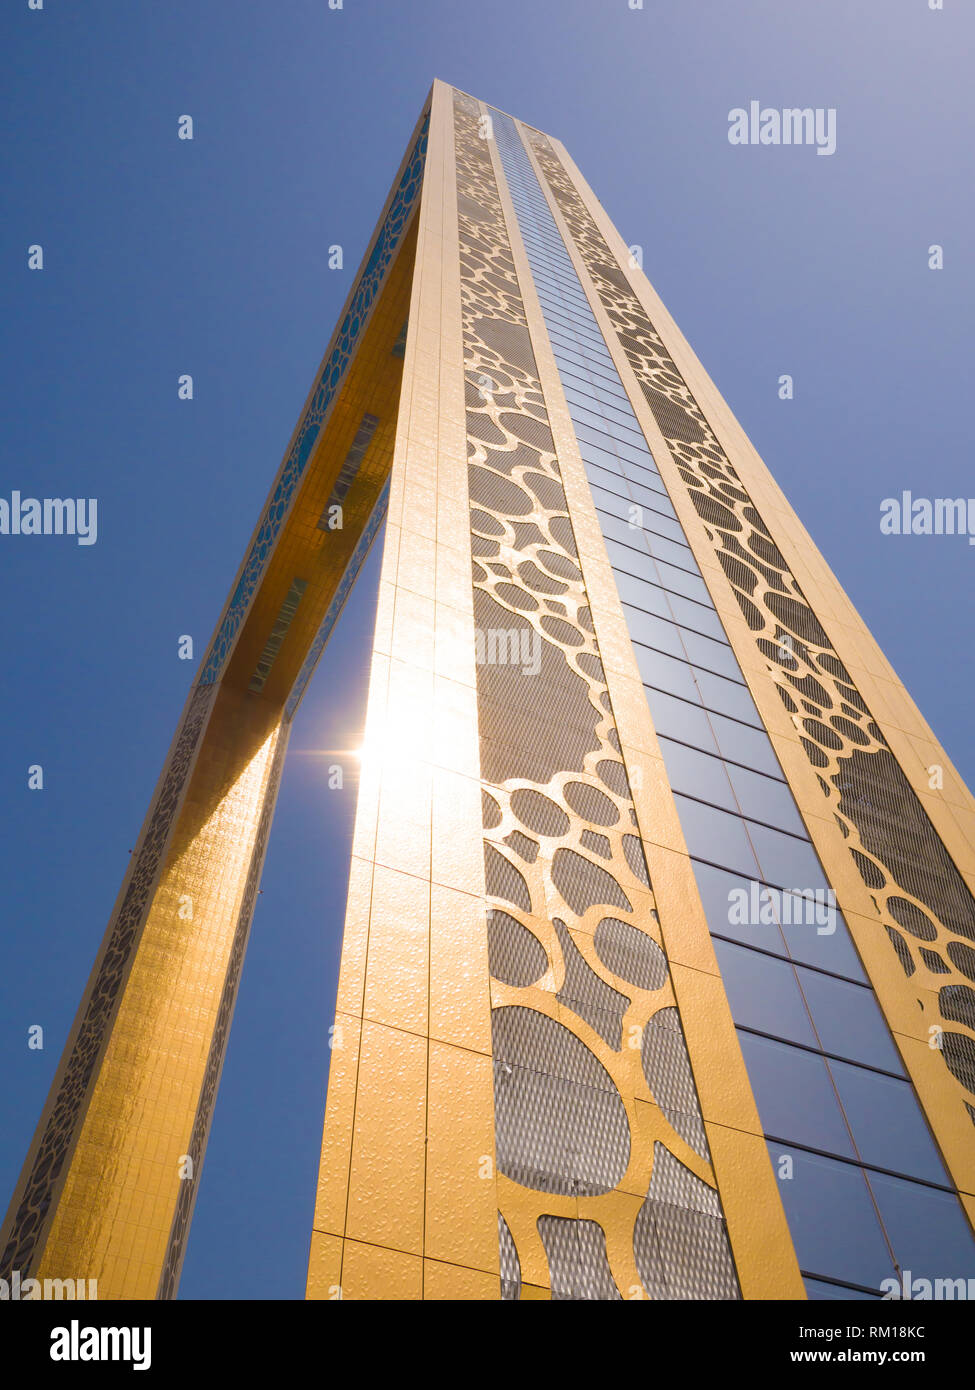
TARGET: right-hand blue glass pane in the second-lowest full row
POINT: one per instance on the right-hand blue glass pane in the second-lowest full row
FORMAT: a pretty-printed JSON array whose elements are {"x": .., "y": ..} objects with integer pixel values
[{"x": 887, "y": 1122}]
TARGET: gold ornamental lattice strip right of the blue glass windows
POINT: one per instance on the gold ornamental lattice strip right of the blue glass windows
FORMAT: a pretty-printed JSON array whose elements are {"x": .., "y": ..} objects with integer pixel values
[{"x": 917, "y": 890}]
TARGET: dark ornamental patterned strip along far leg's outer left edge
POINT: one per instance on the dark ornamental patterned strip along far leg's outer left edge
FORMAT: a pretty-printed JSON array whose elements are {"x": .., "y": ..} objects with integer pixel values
[{"x": 69, "y": 1110}]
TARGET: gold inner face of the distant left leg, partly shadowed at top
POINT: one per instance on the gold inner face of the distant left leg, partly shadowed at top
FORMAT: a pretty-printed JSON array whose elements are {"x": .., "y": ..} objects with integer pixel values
[{"x": 116, "y": 1210}]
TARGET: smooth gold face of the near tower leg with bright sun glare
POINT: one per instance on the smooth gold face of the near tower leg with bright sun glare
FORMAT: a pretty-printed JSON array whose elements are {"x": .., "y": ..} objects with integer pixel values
[{"x": 407, "y": 1202}]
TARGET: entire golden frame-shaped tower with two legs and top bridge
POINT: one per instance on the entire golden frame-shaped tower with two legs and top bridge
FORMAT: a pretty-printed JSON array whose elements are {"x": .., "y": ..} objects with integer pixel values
[{"x": 659, "y": 960}]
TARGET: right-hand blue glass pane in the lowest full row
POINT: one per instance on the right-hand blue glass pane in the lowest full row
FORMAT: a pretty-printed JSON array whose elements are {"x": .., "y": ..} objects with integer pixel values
[{"x": 927, "y": 1228}]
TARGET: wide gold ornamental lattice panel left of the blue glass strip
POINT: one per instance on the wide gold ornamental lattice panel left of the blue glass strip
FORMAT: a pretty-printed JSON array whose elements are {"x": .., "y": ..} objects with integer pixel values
[{"x": 593, "y": 1082}]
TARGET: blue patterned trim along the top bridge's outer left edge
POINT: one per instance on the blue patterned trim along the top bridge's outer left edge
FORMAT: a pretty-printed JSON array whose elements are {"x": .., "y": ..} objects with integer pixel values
[{"x": 311, "y": 426}]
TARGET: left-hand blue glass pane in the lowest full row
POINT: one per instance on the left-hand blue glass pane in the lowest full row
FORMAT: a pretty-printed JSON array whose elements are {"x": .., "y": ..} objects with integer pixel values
[{"x": 849, "y": 1243}]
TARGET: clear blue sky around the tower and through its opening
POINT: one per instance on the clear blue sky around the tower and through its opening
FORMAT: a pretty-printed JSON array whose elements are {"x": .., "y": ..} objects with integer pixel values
[{"x": 211, "y": 258}]
